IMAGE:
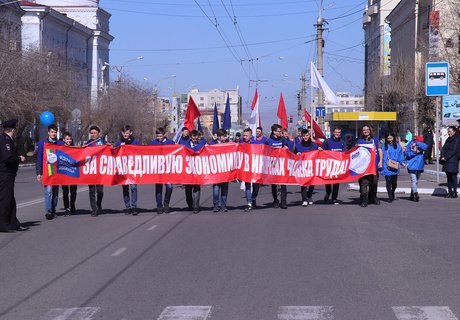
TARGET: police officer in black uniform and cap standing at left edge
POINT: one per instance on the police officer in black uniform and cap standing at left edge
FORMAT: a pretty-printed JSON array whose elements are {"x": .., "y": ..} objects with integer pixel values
[{"x": 9, "y": 164}]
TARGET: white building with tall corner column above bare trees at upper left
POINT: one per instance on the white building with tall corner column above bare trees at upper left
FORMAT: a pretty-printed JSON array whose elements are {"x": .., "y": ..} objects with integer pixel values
[{"x": 75, "y": 30}]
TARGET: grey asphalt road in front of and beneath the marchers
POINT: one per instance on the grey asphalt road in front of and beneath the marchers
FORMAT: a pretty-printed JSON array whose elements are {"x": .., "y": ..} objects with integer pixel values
[{"x": 393, "y": 261}]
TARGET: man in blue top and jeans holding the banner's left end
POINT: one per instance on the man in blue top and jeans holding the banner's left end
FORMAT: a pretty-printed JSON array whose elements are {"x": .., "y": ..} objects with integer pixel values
[{"x": 51, "y": 192}]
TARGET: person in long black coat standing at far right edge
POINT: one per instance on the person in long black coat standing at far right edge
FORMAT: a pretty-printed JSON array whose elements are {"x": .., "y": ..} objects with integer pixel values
[{"x": 450, "y": 161}]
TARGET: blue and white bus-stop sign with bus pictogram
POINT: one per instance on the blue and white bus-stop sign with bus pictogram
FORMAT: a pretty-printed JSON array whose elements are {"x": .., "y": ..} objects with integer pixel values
[{"x": 437, "y": 78}]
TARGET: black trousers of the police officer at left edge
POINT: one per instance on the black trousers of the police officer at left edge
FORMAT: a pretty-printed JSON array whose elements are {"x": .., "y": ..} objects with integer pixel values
[{"x": 8, "y": 219}]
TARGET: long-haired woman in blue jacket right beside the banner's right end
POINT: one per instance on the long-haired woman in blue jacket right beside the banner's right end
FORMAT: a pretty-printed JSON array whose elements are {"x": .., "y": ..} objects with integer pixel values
[{"x": 391, "y": 150}]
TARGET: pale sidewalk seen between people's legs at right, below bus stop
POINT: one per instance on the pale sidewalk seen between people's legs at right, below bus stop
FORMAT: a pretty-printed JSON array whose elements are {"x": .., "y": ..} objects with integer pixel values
[{"x": 426, "y": 185}]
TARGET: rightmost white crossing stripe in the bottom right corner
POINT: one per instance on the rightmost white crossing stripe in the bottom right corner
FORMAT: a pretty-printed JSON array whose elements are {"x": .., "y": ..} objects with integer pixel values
[{"x": 424, "y": 313}]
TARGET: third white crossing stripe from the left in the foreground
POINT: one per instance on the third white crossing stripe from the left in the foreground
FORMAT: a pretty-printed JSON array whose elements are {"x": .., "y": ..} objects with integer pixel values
[{"x": 305, "y": 313}]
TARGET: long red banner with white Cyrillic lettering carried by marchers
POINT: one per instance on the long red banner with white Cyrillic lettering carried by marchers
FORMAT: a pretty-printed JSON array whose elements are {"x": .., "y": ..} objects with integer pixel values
[{"x": 213, "y": 164}]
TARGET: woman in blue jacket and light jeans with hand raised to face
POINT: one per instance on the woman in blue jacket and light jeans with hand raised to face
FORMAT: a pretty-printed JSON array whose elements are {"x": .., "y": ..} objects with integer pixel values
[{"x": 415, "y": 163}]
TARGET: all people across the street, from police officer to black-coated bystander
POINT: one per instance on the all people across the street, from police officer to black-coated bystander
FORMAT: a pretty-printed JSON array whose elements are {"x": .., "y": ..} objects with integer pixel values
[{"x": 390, "y": 158}]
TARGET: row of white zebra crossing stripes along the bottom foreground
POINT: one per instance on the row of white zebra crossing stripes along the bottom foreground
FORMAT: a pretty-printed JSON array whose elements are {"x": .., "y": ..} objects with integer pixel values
[{"x": 284, "y": 313}]
